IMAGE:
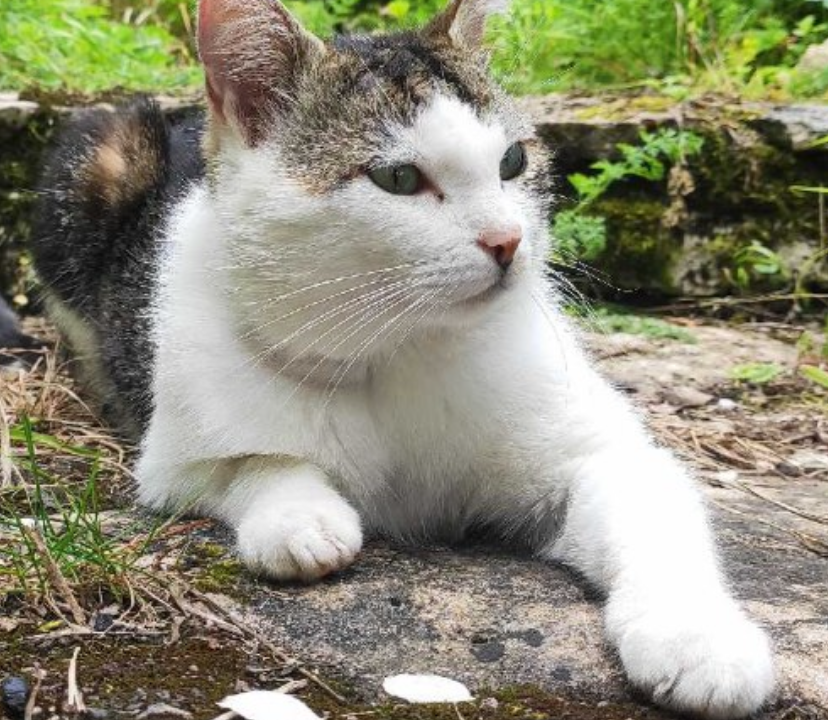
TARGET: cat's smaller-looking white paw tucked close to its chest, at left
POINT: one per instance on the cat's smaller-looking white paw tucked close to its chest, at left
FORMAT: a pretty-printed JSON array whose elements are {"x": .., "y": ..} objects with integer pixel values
[{"x": 301, "y": 541}]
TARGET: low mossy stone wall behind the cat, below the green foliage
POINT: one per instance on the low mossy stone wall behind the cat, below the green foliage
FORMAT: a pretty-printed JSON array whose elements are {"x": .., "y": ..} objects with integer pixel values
[{"x": 739, "y": 188}]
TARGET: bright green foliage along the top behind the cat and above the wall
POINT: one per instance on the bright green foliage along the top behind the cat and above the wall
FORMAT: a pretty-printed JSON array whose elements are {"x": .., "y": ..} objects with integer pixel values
[{"x": 749, "y": 47}]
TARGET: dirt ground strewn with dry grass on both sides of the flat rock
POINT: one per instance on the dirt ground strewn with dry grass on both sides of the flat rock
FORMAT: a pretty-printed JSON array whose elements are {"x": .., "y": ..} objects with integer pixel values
[{"x": 152, "y": 636}]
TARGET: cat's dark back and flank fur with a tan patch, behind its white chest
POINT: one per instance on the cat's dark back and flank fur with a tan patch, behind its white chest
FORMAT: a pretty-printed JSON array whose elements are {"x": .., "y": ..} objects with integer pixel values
[{"x": 97, "y": 228}]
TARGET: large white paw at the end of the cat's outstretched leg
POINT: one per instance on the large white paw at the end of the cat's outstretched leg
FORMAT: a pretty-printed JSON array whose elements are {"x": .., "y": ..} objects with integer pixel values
[{"x": 716, "y": 663}]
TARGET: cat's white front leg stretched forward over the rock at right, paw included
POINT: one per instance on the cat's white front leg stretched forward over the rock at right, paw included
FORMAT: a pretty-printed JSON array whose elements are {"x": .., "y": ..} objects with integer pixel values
[{"x": 636, "y": 527}]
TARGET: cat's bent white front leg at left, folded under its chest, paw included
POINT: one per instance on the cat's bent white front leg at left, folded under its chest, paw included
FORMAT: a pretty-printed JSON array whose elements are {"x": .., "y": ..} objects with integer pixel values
[{"x": 290, "y": 522}]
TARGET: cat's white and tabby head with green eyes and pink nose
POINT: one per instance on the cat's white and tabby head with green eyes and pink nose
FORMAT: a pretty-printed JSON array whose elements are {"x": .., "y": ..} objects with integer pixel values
[{"x": 389, "y": 168}]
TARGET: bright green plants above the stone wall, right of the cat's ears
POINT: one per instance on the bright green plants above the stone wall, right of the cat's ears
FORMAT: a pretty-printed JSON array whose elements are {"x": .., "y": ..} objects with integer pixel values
[{"x": 679, "y": 48}]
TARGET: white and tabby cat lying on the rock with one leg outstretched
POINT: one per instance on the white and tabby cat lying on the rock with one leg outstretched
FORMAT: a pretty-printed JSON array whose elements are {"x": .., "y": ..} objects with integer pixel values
[{"x": 337, "y": 324}]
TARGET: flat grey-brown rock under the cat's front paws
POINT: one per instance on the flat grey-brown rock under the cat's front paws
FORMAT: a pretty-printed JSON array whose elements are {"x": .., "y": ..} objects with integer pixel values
[{"x": 348, "y": 626}]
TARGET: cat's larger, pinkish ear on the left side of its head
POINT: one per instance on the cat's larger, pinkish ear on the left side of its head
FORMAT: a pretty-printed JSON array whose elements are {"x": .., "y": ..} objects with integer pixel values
[{"x": 252, "y": 52}]
